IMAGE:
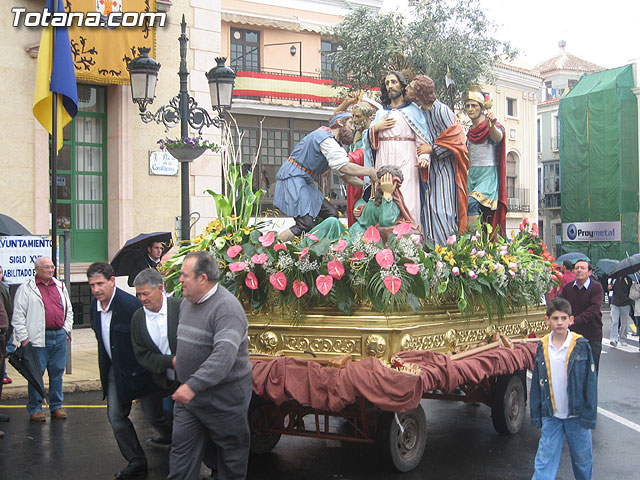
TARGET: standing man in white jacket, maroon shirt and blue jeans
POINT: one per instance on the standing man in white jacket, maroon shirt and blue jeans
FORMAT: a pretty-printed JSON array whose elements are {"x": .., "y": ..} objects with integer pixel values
[{"x": 43, "y": 316}]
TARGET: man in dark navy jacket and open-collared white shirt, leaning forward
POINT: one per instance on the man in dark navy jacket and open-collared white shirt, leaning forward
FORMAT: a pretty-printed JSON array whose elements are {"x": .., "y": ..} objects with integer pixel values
[{"x": 123, "y": 378}]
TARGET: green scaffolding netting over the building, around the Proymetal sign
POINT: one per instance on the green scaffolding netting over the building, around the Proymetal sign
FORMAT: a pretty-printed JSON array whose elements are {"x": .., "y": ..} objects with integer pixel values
[{"x": 599, "y": 159}]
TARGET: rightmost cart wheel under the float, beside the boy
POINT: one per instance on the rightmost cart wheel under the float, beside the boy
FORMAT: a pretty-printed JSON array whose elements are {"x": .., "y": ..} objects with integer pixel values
[{"x": 508, "y": 405}]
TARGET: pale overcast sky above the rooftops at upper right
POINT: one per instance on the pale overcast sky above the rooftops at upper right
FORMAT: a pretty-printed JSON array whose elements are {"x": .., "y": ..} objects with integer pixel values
[{"x": 603, "y": 32}]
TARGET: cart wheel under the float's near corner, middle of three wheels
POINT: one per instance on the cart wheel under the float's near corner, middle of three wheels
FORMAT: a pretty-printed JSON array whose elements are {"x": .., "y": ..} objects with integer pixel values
[{"x": 403, "y": 448}]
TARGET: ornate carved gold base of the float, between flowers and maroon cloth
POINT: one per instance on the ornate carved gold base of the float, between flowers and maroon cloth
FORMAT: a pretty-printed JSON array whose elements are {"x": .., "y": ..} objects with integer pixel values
[{"x": 326, "y": 333}]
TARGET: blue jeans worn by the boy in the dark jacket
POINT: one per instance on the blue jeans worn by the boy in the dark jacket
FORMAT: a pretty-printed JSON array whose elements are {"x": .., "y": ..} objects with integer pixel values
[{"x": 554, "y": 430}]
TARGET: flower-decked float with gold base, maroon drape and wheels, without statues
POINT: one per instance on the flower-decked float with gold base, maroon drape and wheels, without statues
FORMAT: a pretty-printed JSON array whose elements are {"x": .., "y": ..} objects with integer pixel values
[{"x": 361, "y": 326}]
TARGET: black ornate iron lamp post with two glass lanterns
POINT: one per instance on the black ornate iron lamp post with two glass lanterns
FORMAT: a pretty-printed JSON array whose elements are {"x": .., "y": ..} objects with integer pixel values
[{"x": 182, "y": 109}]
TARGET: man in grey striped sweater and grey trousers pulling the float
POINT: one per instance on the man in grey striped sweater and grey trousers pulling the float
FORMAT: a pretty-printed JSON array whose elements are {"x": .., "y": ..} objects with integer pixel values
[{"x": 212, "y": 363}]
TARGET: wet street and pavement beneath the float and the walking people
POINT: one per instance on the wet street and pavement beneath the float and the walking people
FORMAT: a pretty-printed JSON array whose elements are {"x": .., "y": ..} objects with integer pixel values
[{"x": 461, "y": 442}]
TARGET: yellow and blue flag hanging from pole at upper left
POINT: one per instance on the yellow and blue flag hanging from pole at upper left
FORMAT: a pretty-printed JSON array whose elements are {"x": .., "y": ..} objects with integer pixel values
[{"x": 56, "y": 73}]
